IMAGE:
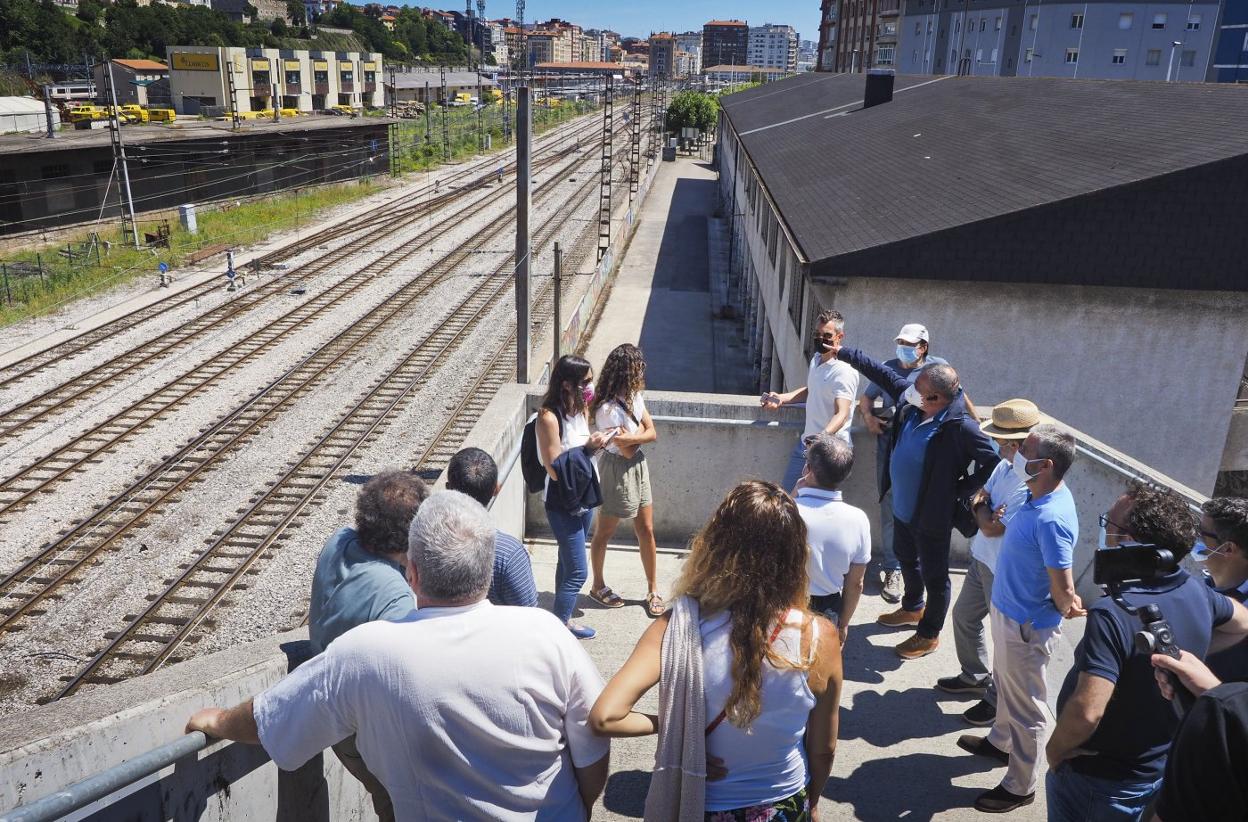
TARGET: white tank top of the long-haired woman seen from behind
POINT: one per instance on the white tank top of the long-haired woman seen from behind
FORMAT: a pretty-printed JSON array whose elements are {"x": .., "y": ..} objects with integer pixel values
[{"x": 768, "y": 764}]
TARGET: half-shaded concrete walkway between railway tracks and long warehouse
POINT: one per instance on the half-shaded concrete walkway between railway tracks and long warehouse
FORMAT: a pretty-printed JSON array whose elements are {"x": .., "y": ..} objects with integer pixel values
[{"x": 662, "y": 296}]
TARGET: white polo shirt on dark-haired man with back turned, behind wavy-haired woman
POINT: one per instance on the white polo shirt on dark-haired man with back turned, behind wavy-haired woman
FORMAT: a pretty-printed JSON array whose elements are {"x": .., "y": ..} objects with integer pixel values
[{"x": 839, "y": 536}]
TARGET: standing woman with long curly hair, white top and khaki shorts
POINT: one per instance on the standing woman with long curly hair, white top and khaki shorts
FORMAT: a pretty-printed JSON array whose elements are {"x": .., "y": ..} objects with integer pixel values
[{"x": 625, "y": 475}]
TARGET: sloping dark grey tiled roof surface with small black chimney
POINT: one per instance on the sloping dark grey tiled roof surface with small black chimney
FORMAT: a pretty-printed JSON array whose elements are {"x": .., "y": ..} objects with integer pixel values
[{"x": 950, "y": 153}]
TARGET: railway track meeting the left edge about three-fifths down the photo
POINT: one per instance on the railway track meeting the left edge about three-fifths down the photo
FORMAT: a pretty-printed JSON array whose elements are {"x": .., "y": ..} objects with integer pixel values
[{"x": 89, "y": 447}]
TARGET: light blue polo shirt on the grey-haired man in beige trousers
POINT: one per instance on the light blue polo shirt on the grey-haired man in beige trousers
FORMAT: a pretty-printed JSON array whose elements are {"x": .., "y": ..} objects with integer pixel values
[{"x": 1040, "y": 536}]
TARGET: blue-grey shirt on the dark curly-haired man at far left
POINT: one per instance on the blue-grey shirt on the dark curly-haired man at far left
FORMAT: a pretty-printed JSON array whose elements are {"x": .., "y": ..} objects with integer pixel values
[{"x": 353, "y": 587}]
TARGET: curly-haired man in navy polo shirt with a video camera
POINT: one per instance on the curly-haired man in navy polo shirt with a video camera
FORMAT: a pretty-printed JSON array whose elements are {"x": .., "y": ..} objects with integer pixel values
[{"x": 1108, "y": 754}]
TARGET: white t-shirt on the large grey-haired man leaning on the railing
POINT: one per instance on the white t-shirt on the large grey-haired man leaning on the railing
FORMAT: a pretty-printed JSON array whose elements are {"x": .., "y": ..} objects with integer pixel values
[{"x": 461, "y": 713}]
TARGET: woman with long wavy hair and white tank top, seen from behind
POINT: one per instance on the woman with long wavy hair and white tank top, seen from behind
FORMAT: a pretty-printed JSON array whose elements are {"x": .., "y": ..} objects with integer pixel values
[{"x": 772, "y": 670}]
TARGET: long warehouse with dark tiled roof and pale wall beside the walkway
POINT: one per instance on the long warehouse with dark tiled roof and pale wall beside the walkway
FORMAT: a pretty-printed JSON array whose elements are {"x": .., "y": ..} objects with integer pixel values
[{"x": 1054, "y": 246}]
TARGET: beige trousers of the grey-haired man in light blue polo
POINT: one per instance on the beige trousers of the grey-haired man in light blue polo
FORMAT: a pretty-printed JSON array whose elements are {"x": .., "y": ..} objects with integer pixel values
[{"x": 1020, "y": 658}]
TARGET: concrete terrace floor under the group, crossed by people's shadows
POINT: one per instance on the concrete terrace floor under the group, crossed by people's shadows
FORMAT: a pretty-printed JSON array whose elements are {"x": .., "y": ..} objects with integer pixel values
[{"x": 898, "y": 757}]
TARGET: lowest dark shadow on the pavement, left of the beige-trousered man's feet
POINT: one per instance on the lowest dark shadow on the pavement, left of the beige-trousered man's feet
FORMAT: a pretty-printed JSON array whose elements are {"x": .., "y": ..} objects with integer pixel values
[{"x": 914, "y": 788}]
